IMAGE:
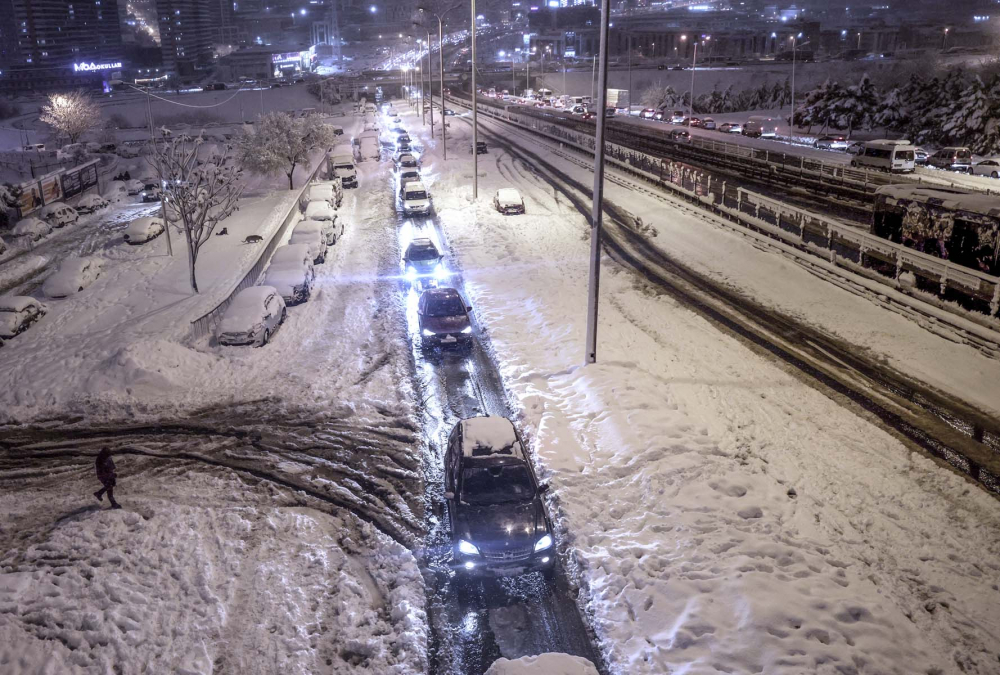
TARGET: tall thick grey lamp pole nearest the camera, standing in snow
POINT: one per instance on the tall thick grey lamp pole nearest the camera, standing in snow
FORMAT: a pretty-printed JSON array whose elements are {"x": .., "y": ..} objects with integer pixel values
[{"x": 596, "y": 214}]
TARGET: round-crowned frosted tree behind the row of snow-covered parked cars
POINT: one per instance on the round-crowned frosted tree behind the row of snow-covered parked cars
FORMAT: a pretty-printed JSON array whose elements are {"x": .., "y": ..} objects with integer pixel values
[{"x": 280, "y": 142}]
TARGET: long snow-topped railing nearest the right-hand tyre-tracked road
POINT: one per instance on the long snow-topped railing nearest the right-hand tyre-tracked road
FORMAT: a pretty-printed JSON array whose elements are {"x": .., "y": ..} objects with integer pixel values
[{"x": 831, "y": 240}]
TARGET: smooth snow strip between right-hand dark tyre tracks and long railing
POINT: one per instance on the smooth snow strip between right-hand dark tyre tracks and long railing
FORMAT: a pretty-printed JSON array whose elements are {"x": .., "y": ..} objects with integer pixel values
[{"x": 705, "y": 244}]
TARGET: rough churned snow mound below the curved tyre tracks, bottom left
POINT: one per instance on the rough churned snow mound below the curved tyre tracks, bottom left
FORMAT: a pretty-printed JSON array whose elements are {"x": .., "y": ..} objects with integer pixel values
[{"x": 201, "y": 573}]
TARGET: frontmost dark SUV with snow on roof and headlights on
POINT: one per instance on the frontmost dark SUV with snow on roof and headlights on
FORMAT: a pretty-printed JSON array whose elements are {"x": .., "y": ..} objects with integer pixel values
[{"x": 498, "y": 522}]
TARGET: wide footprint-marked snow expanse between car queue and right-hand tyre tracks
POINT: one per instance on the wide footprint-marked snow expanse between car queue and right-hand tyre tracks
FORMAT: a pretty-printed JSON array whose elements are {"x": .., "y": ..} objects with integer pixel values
[{"x": 722, "y": 514}]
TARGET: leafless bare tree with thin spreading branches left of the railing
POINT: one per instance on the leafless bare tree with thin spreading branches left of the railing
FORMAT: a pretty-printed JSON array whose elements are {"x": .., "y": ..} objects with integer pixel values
[{"x": 200, "y": 189}]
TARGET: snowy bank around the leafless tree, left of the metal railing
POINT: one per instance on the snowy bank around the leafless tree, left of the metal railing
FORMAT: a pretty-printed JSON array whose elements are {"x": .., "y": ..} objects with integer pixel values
[{"x": 123, "y": 338}]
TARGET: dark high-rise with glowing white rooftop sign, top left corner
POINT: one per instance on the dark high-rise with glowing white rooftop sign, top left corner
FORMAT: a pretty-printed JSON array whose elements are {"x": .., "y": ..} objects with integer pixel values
[{"x": 47, "y": 44}]
